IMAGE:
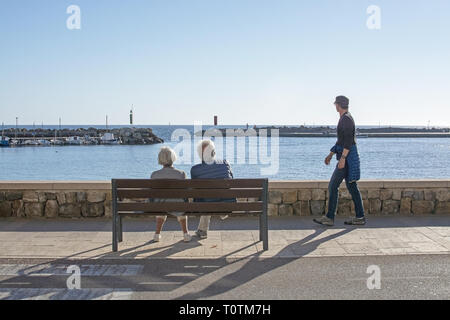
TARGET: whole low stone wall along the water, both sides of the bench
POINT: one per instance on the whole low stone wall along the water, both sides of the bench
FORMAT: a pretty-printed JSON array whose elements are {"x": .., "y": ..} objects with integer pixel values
[{"x": 286, "y": 198}]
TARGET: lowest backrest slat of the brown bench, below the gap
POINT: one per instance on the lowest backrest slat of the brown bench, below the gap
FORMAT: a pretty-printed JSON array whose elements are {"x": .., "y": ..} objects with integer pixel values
[{"x": 191, "y": 206}]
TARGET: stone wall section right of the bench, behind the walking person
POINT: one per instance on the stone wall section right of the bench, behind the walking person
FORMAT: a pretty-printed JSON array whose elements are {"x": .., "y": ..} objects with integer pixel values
[{"x": 309, "y": 198}]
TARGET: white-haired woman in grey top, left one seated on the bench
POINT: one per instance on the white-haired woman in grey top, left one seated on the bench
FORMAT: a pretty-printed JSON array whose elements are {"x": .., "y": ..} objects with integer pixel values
[{"x": 166, "y": 158}]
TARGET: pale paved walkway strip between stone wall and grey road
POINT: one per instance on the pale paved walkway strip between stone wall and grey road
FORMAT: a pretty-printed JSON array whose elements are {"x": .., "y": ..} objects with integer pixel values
[{"x": 237, "y": 237}]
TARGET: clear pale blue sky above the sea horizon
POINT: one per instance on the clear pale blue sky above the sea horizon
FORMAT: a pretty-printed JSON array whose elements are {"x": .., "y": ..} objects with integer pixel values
[{"x": 247, "y": 61}]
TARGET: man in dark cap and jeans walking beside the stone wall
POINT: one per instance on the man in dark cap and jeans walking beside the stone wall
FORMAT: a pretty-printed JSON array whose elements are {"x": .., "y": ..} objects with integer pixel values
[{"x": 348, "y": 166}]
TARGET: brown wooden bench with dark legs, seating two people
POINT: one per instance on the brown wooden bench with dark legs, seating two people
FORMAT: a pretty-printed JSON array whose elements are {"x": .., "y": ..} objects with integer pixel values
[{"x": 129, "y": 199}]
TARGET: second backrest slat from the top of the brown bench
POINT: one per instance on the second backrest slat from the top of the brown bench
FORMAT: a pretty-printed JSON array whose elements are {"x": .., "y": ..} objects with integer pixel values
[{"x": 186, "y": 193}]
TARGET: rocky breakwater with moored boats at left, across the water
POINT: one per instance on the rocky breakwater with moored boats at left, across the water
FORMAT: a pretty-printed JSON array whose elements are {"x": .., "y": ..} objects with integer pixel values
[{"x": 80, "y": 136}]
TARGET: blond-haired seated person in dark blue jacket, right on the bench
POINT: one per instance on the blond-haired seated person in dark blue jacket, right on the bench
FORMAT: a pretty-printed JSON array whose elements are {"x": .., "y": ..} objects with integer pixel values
[{"x": 210, "y": 168}]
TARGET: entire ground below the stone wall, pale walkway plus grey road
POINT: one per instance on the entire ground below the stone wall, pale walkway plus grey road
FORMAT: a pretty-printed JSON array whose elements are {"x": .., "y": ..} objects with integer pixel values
[{"x": 305, "y": 260}]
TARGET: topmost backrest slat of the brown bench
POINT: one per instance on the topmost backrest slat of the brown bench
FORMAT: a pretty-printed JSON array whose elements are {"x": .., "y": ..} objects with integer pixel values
[{"x": 189, "y": 184}]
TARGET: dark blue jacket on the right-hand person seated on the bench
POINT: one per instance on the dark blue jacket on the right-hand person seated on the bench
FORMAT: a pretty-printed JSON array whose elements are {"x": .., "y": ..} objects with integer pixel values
[{"x": 217, "y": 170}]
